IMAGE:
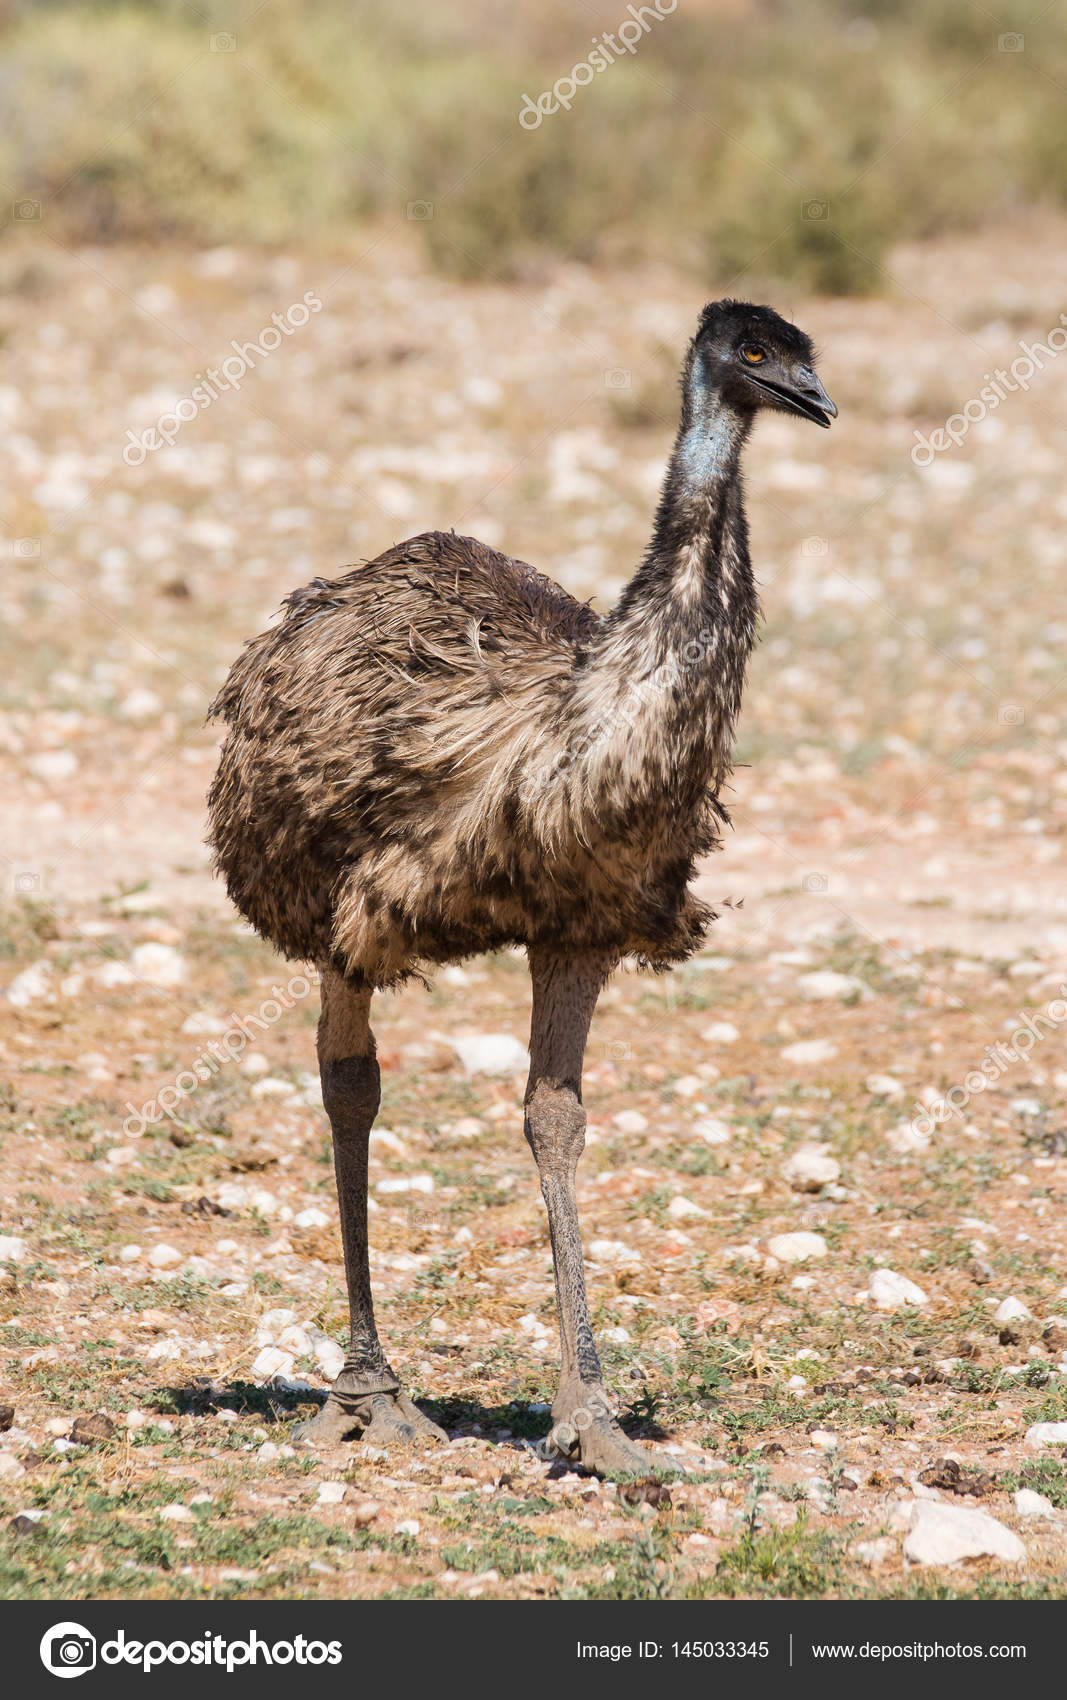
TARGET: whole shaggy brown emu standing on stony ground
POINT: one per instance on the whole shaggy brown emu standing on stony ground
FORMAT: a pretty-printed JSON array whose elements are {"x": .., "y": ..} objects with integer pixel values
[{"x": 444, "y": 754}]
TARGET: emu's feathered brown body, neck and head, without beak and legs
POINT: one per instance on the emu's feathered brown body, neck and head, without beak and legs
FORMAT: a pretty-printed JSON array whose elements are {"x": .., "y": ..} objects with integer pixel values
[{"x": 443, "y": 752}]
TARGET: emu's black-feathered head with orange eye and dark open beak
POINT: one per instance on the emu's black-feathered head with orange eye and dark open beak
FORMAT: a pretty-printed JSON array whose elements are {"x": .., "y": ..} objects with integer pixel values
[{"x": 747, "y": 358}]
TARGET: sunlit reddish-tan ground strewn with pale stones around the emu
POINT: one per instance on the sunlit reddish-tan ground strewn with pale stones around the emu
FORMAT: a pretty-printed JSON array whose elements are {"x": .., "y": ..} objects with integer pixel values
[{"x": 840, "y": 1310}]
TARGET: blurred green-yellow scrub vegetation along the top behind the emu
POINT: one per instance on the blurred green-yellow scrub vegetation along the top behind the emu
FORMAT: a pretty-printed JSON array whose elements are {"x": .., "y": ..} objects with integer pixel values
[{"x": 794, "y": 137}]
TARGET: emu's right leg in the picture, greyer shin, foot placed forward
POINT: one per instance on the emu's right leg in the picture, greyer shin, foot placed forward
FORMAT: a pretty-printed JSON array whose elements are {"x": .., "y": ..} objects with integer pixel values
[{"x": 565, "y": 997}]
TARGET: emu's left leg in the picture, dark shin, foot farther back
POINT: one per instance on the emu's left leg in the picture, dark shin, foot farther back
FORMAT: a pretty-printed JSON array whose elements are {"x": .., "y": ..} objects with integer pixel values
[{"x": 366, "y": 1397}]
